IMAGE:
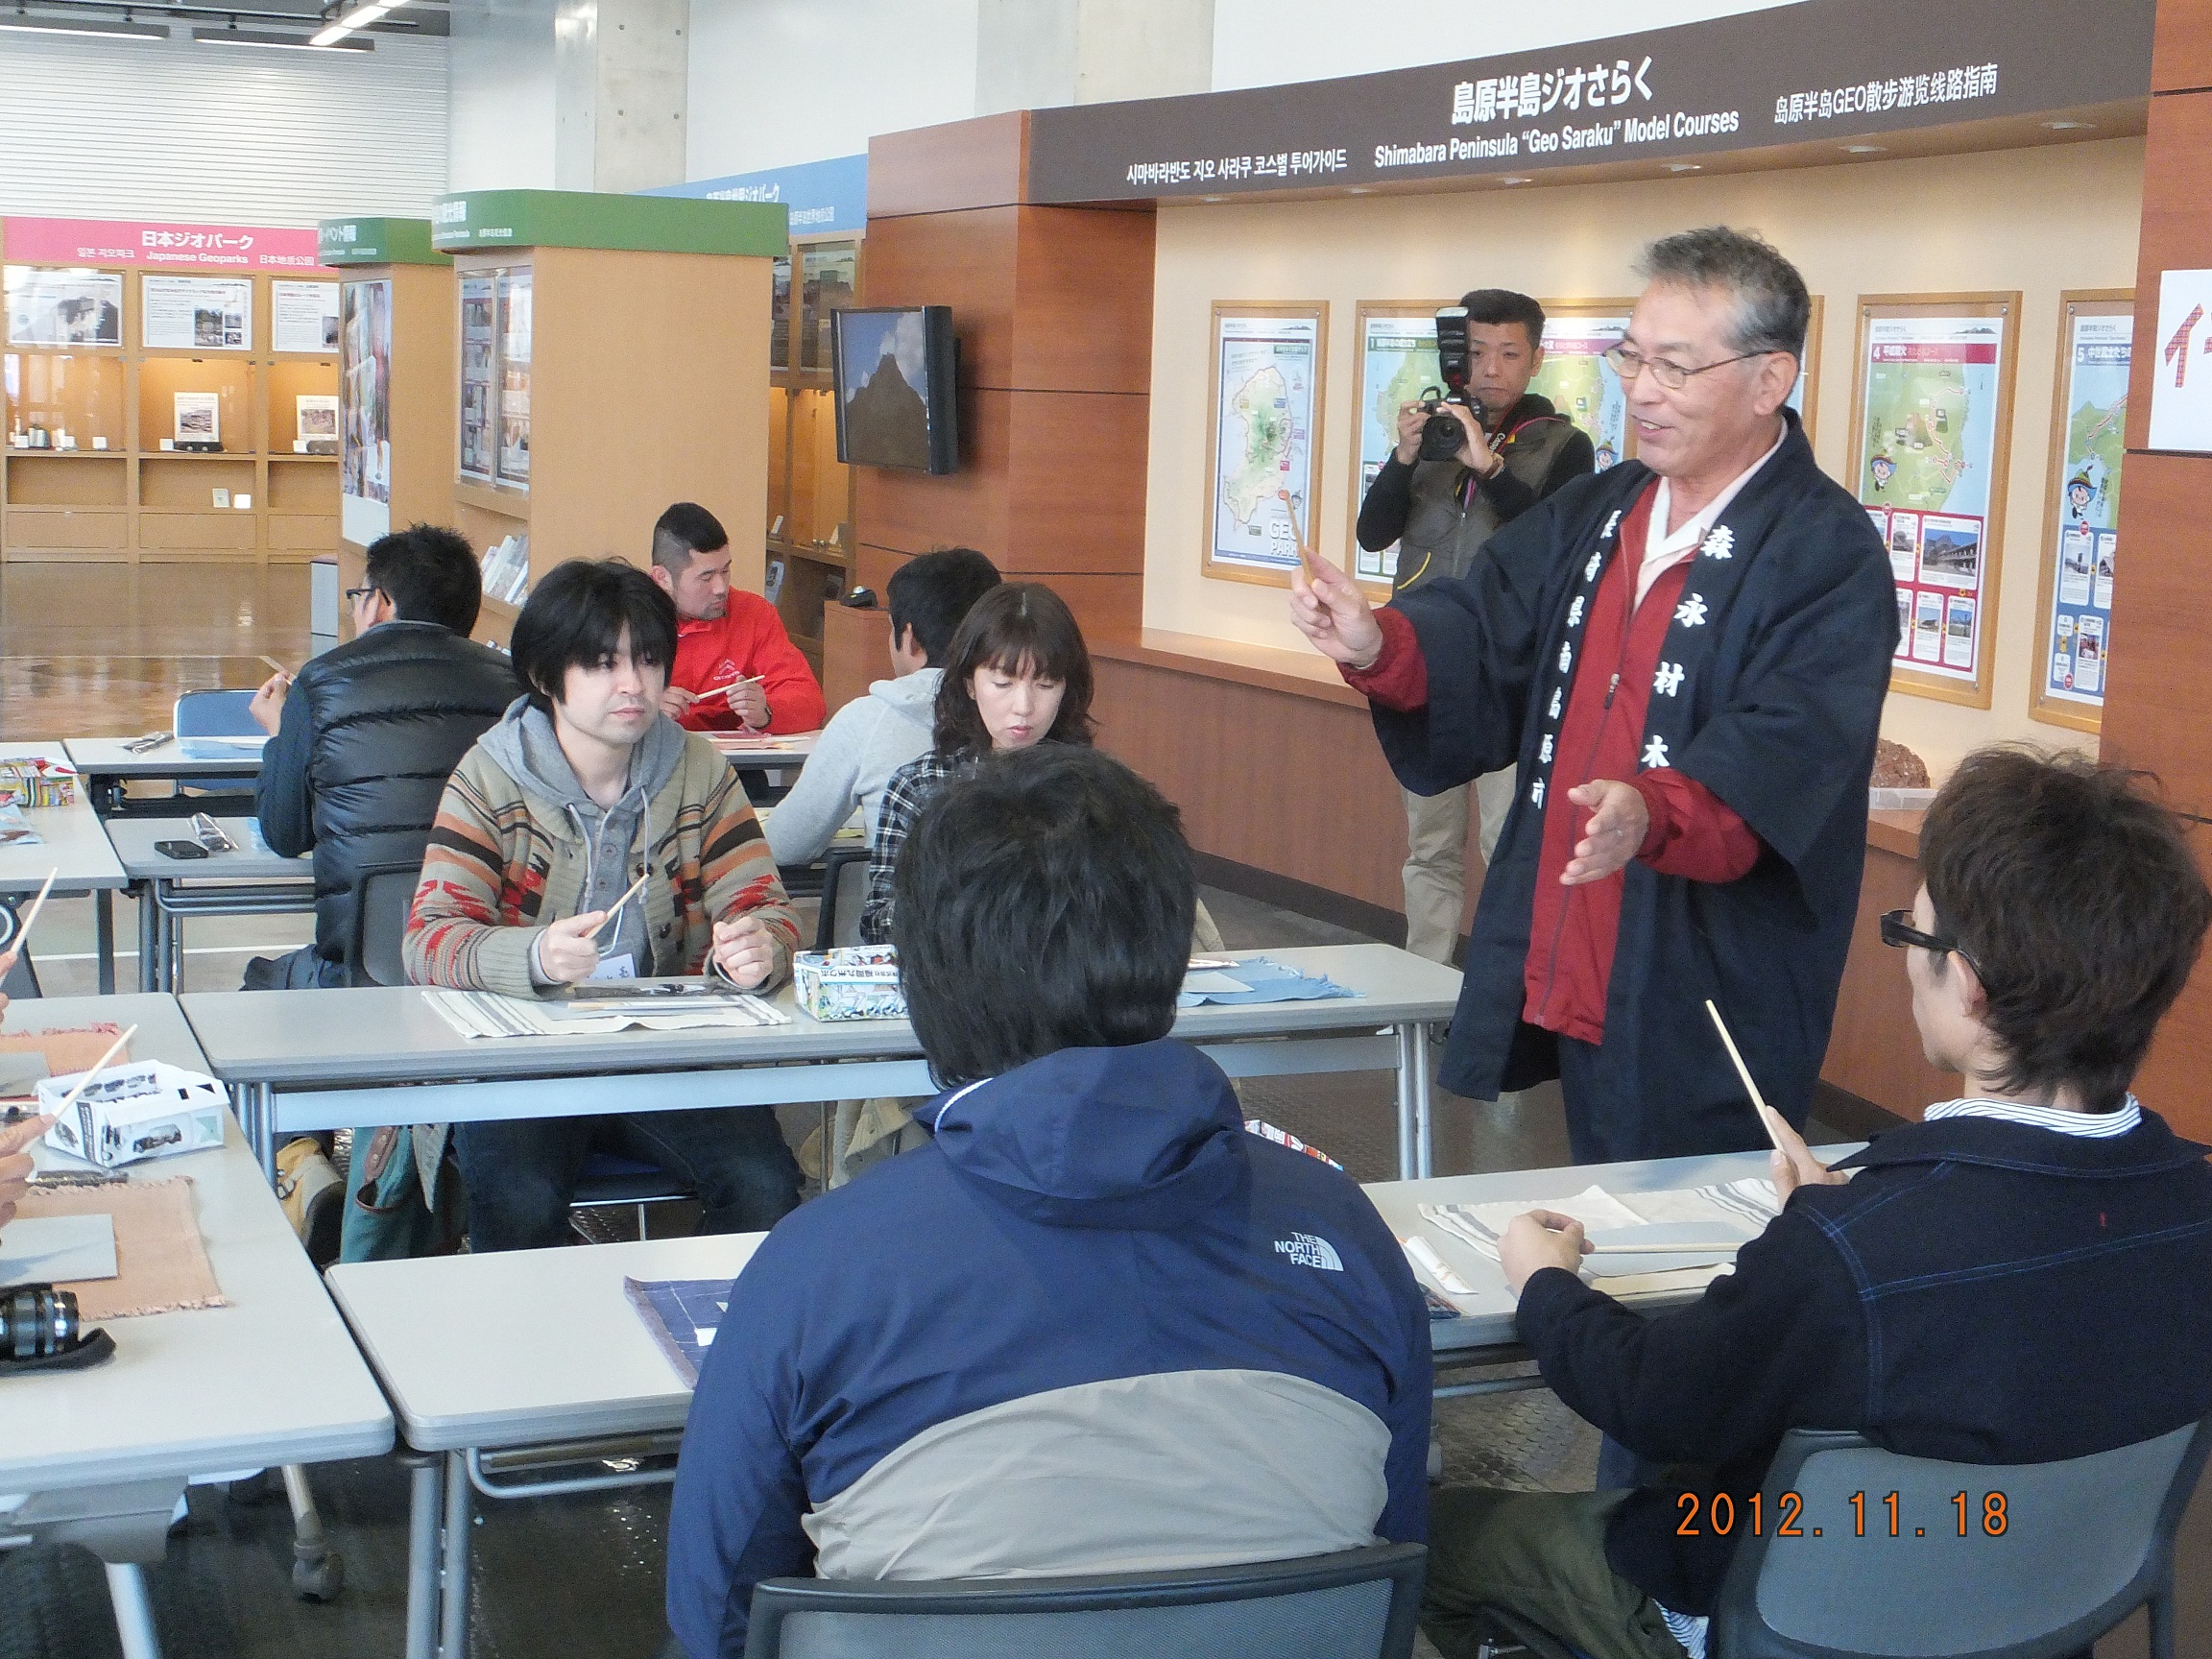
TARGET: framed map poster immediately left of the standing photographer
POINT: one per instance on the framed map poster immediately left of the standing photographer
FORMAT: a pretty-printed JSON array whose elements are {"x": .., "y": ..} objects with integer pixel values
[{"x": 1266, "y": 424}]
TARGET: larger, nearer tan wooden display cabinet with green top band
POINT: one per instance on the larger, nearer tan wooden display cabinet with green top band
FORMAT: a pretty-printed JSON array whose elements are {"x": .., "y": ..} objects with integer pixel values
[{"x": 594, "y": 371}]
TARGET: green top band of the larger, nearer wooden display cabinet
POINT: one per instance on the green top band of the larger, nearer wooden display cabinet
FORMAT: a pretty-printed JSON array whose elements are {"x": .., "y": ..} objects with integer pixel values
[{"x": 474, "y": 220}]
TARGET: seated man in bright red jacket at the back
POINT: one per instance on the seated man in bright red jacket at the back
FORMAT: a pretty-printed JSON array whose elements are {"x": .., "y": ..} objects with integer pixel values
[{"x": 735, "y": 667}]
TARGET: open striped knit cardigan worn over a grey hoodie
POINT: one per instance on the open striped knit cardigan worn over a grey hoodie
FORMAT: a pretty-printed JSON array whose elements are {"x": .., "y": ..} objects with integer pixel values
[{"x": 503, "y": 862}]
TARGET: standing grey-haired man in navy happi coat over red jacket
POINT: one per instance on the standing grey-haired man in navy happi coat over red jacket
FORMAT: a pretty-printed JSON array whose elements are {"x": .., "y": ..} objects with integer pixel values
[{"x": 1687, "y": 660}]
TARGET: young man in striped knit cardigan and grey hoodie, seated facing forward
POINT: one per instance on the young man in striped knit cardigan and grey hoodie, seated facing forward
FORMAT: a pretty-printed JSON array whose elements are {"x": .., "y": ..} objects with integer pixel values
[{"x": 578, "y": 795}]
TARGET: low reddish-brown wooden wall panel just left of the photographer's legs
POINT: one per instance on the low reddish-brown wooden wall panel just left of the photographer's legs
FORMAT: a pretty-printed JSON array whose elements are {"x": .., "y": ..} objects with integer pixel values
[{"x": 1242, "y": 766}]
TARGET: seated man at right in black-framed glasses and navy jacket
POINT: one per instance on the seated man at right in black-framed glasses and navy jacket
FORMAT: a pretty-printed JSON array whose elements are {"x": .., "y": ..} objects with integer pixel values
[{"x": 2021, "y": 1277}]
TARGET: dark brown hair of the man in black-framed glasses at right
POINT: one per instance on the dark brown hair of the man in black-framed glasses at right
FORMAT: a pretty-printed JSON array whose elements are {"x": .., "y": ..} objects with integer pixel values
[{"x": 2076, "y": 897}]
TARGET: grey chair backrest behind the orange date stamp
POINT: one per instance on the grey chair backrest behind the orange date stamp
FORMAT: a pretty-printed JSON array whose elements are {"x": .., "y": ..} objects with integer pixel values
[{"x": 2034, "y": 1563}]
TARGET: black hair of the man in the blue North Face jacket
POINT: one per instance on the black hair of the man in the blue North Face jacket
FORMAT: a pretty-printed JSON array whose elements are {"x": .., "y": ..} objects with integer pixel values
[{"x": 1045, "y": 901}]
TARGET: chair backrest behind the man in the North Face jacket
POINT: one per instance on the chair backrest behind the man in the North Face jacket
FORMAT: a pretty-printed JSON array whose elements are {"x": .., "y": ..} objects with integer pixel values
[{"x": 1357, "y": 1605}]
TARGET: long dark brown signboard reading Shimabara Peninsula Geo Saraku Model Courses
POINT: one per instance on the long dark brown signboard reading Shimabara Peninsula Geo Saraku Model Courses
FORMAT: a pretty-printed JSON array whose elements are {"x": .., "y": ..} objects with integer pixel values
[{"x": 1837, "y": 70}]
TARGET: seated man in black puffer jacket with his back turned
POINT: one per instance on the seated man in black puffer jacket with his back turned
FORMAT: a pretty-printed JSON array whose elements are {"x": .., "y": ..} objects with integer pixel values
[{"x": 364, "y": 742}]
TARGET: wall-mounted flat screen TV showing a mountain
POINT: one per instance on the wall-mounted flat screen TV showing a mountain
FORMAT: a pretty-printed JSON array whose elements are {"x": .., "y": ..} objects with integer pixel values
[{"x": 895, "y": 388}]
